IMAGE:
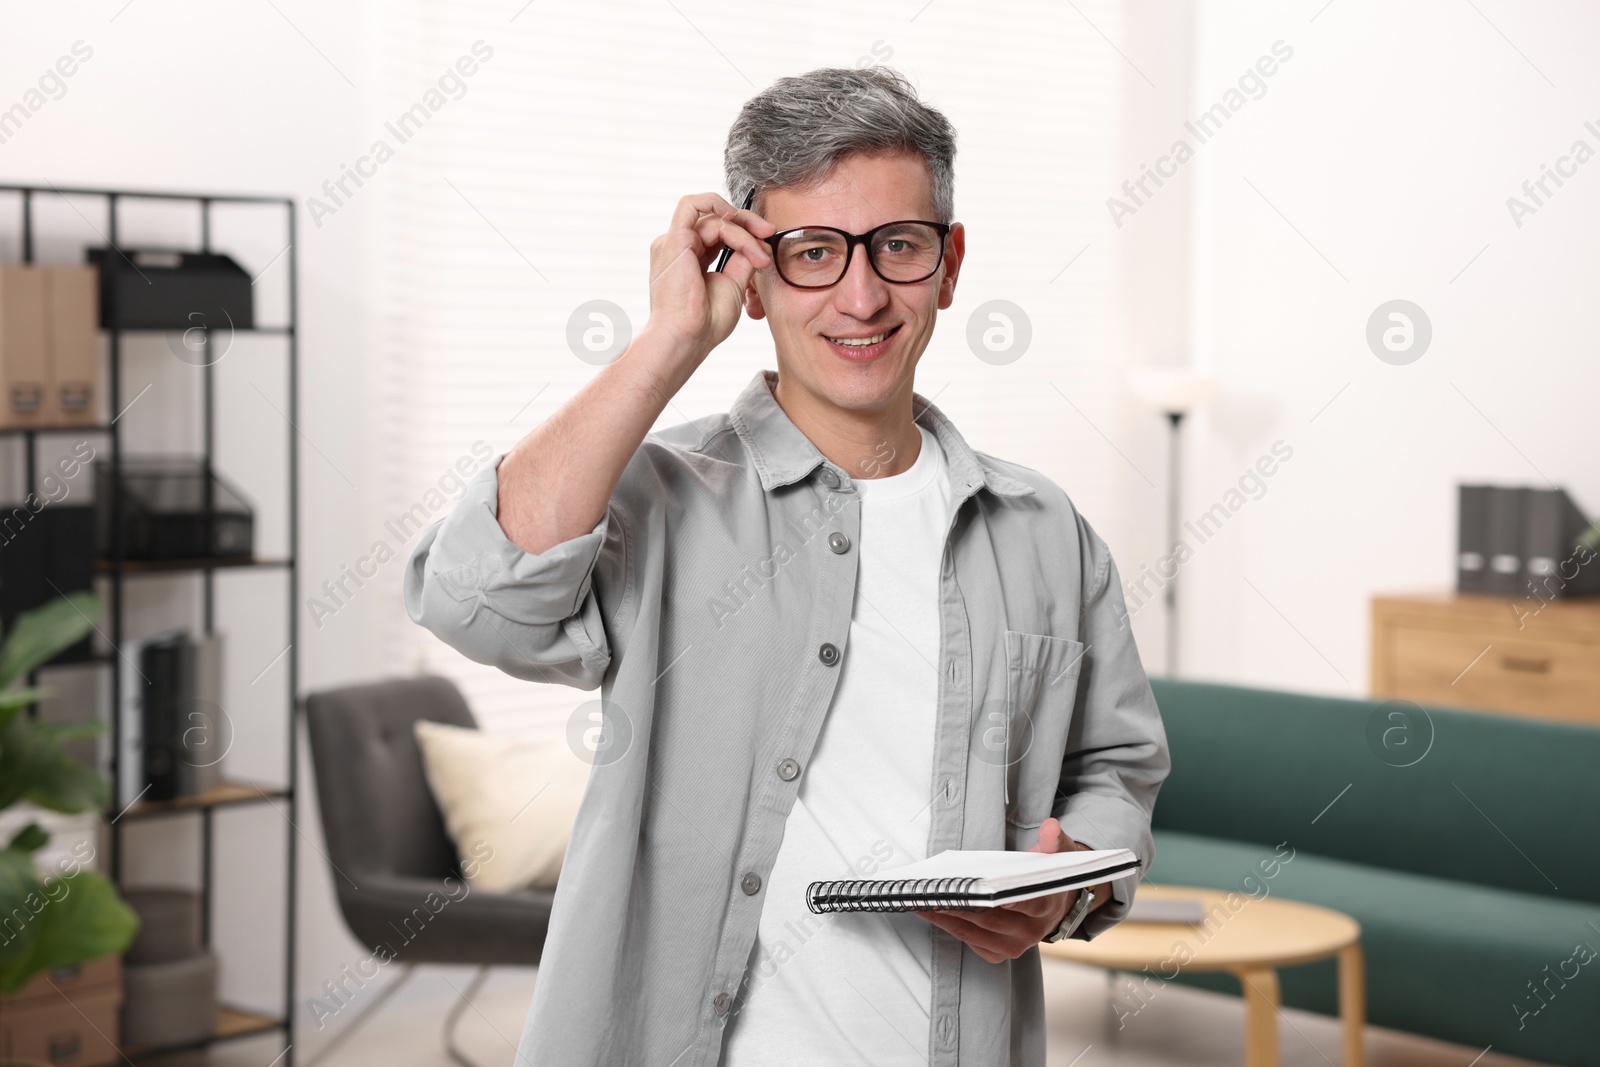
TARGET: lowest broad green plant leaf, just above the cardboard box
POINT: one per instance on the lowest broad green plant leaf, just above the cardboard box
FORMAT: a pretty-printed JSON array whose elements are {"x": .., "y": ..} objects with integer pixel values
[{"x": 82, "y": 919}]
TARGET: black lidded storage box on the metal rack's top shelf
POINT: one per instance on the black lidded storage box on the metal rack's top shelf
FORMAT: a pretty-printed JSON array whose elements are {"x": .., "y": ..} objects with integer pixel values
[{"x": 151, "y": 289}]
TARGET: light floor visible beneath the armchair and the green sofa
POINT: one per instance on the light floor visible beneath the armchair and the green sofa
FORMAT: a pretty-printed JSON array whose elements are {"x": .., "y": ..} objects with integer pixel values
[{"x": 1180, "y": 1026}]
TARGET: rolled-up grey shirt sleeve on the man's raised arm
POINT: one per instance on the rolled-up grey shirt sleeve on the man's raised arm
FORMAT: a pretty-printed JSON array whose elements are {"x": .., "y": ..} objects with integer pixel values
[{"x": 535, "y": 617}]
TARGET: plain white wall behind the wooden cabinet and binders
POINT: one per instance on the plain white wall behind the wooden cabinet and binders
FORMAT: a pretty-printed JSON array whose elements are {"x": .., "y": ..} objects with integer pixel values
[{"x": 1391, "y": 143}]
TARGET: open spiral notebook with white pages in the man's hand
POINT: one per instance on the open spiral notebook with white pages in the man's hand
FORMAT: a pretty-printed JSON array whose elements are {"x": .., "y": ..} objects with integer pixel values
[{"x": 970, "y": 879}]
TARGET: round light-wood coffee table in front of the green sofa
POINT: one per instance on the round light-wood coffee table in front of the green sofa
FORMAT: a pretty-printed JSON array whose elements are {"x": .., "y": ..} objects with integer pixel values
[{"x": 1249, "y": 943}]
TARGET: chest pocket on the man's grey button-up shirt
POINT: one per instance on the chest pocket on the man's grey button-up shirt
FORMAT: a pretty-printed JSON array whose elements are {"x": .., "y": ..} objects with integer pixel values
[{"x": 1042, "y": 687}]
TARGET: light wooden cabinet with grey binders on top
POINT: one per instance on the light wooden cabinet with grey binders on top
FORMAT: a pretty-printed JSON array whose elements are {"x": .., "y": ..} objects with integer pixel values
[{"x": 1490, "y": 653}]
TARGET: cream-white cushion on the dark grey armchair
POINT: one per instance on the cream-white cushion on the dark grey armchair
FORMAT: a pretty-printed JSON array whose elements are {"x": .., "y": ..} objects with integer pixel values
[{"x": 510, "y": 802}]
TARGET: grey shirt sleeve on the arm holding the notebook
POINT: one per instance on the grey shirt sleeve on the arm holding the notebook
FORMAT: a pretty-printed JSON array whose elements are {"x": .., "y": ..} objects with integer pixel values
[{"x": 1118, "y": 753}]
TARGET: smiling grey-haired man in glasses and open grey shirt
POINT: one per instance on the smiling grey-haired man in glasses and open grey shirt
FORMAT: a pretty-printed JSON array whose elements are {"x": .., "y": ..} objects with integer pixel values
[{"x": 831, "y": 637}]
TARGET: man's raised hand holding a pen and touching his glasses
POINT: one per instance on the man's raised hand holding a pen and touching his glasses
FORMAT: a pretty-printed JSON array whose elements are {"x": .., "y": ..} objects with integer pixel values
[{"x": 687, "y": 302}]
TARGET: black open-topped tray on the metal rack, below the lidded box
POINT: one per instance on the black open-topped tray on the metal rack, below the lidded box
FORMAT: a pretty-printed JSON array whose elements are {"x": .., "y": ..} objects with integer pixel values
[{"x": 172, "y": 510}]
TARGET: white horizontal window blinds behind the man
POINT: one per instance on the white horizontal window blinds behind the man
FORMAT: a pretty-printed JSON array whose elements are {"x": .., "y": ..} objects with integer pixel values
[{"x": 535, "y": 185}]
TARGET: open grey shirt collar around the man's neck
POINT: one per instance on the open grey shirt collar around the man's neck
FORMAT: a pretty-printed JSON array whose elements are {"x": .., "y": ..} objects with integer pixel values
[{"x": 782, "y": 454}]
